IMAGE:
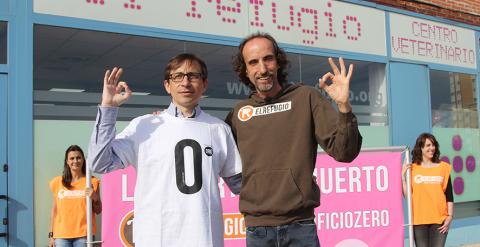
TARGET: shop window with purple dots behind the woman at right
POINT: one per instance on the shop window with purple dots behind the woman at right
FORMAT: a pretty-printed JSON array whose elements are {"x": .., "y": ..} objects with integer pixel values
[{"x": 455, "y": 125}]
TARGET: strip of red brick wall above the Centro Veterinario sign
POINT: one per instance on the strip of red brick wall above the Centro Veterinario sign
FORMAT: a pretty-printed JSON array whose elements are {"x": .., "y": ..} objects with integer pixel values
[{"x": 466, "y": 11}]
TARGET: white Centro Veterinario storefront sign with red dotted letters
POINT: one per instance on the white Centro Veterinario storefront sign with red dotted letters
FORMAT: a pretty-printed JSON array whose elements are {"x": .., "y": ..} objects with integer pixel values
[{"x": 432, "y": 42}]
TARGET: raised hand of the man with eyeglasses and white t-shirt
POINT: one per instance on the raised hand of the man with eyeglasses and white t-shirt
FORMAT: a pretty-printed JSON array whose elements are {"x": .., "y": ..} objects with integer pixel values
[{"x": 112, "y": 89}]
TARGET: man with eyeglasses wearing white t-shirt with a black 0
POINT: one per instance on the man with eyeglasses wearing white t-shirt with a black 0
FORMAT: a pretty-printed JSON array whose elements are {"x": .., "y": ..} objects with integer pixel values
[{"x": 178, "y": 154}]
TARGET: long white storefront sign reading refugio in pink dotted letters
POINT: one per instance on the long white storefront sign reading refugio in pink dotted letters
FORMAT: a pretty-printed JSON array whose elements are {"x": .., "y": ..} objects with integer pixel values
[{"x": 314, "y": 23}]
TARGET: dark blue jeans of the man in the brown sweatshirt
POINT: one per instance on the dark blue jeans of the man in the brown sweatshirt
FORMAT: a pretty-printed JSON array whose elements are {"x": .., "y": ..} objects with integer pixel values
[{"x": 301, "y": 233}]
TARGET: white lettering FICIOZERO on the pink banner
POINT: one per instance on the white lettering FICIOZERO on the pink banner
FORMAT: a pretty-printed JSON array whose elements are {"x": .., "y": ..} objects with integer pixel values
[{"x": 353, "y": 219}]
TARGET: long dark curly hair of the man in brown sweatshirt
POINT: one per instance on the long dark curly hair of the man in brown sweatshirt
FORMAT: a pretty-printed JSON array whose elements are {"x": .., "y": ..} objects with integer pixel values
[{"x": 240, "y": 67}]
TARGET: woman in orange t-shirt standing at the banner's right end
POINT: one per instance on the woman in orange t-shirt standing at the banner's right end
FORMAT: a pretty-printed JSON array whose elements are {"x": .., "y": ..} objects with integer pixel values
[{"x": 432, "y": 197}]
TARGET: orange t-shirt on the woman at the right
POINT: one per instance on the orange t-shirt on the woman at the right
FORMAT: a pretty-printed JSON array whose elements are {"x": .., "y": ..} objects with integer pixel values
[{"x": 429, "y": 202}]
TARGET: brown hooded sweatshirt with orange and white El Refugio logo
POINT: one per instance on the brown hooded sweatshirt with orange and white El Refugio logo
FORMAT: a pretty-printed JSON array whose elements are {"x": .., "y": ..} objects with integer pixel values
[{"x": 277, "y": 139}]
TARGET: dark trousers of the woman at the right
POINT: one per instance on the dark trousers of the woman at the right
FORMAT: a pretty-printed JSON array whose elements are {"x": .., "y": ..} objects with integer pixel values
[{"x": 429, "y": 236}]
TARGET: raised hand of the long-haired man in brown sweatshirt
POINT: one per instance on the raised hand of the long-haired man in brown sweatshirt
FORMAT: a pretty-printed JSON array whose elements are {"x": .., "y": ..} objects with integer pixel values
[{"x": 339, "y": 88}]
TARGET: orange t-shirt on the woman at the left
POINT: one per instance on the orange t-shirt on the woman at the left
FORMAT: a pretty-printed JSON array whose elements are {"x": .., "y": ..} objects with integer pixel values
[{"x": 71, "y": 217}]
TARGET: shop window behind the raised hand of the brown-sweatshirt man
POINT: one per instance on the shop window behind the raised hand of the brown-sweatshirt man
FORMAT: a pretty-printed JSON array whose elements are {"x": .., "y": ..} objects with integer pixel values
[{"x": 368, "y": 94}]
